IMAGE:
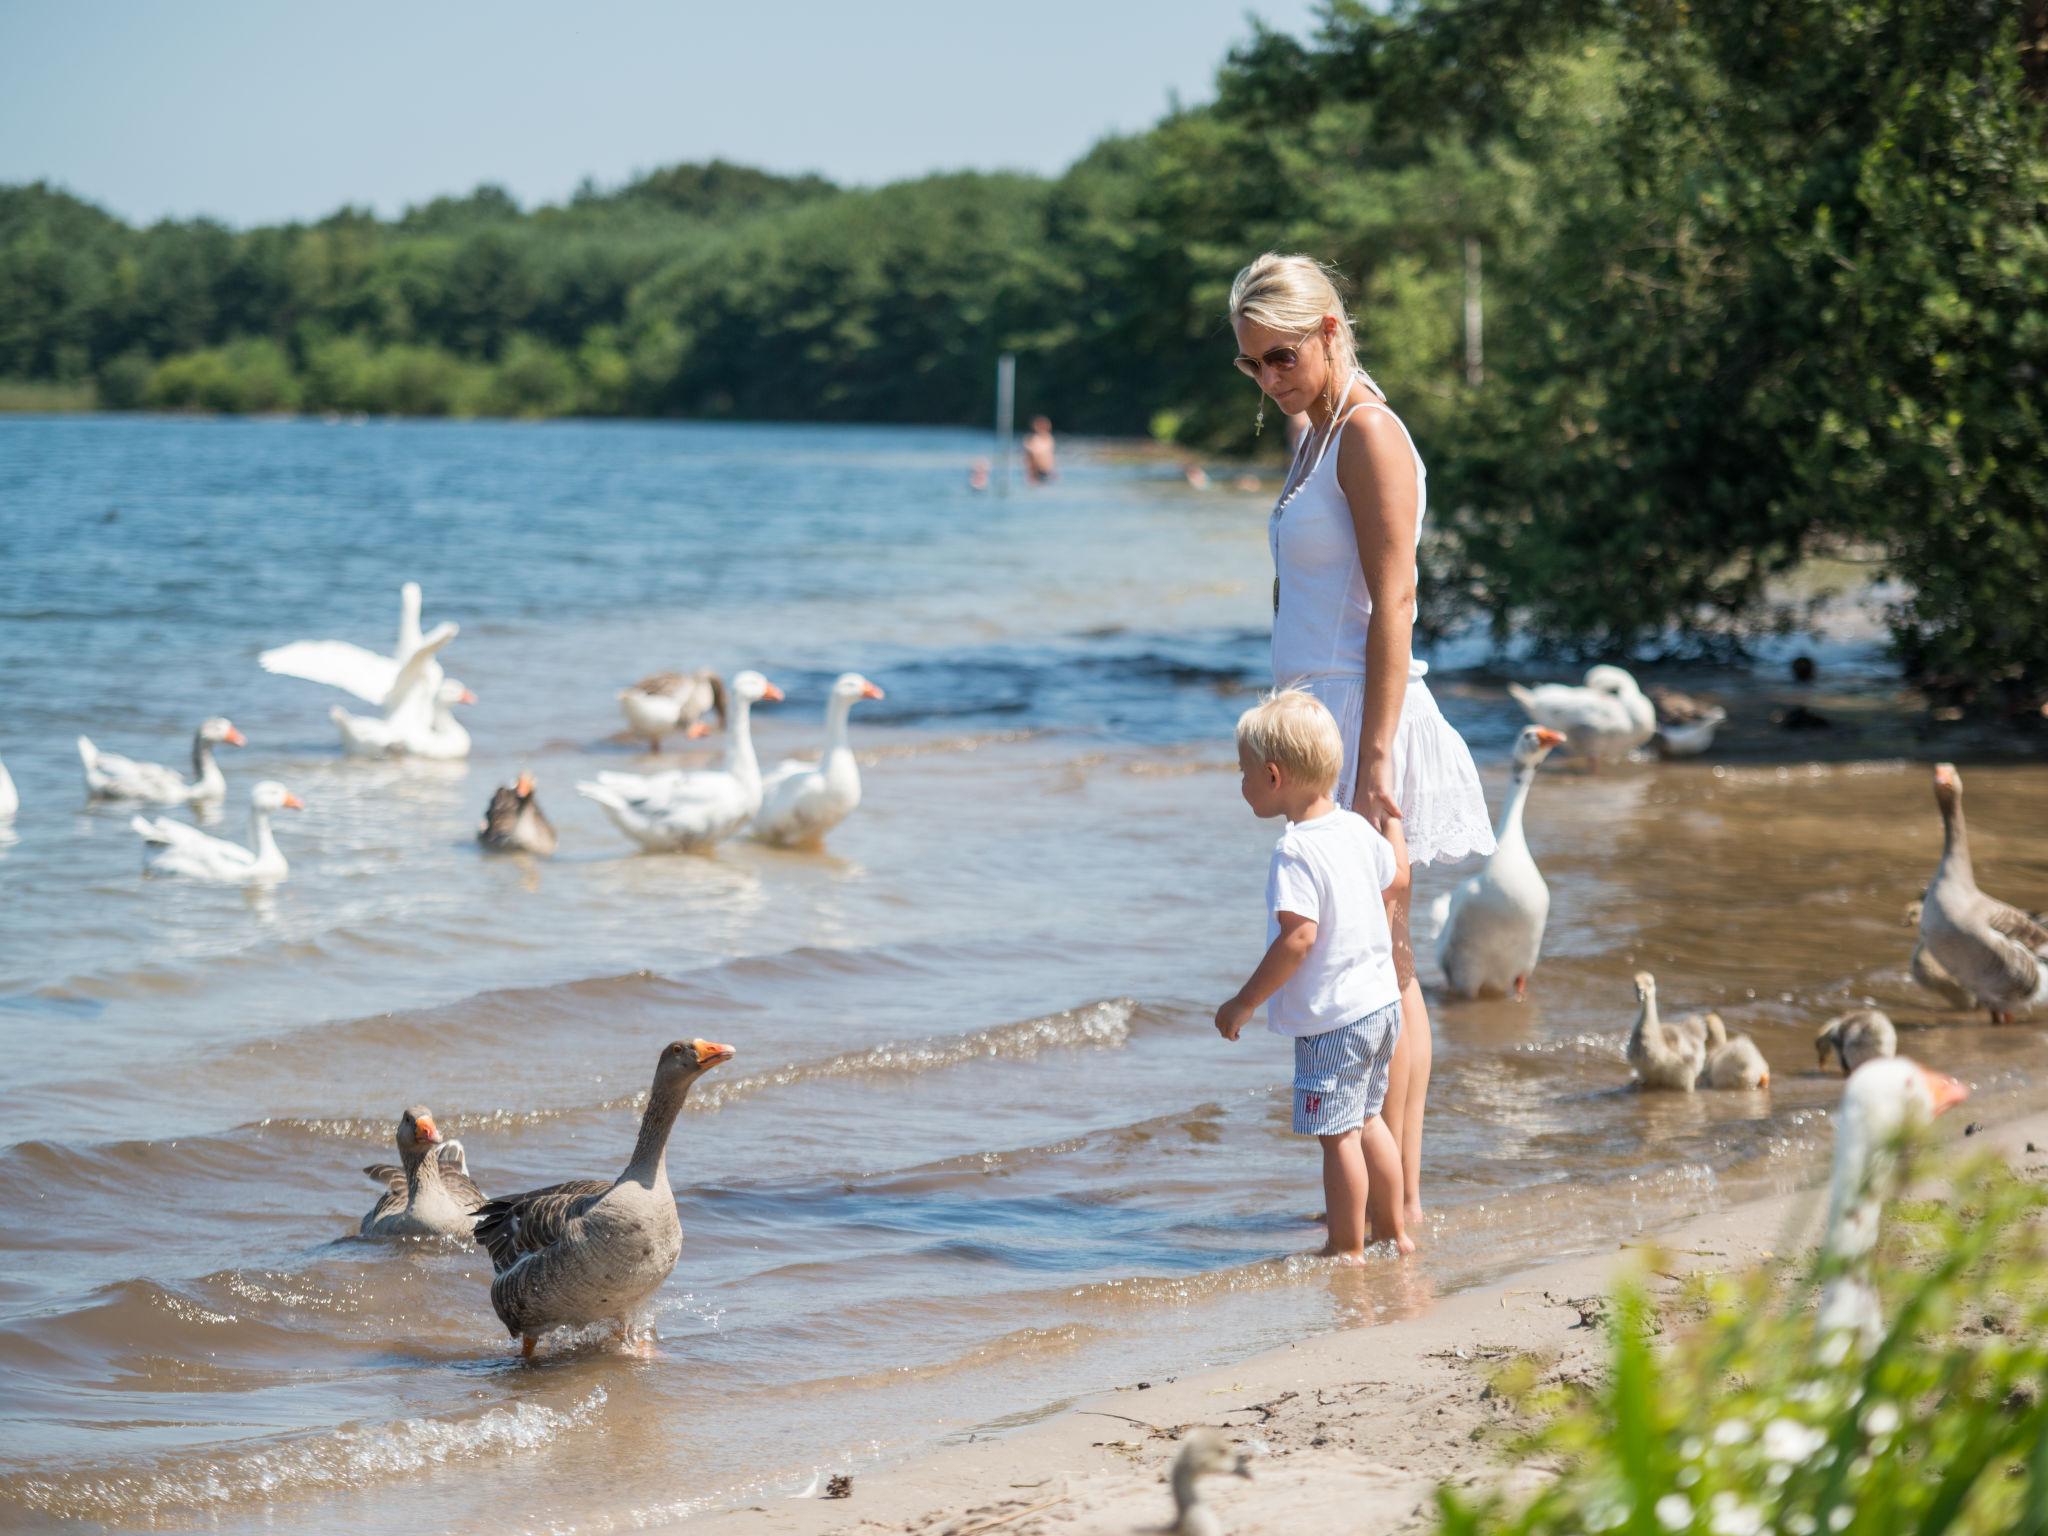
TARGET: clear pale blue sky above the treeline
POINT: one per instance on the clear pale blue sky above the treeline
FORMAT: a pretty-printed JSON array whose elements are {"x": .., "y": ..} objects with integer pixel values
[{"x": 257, "y": 112}]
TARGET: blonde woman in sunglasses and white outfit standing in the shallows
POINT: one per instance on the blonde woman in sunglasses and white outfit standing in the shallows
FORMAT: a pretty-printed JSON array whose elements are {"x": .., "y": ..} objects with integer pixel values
[{"x": 1345, "y": 615}]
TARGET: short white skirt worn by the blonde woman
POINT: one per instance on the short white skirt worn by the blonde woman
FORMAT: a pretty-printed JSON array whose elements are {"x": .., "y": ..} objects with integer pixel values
[{"x": 1437, "y": 785}]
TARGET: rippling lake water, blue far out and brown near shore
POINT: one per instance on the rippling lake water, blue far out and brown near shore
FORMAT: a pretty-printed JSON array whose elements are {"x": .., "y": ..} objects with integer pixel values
[{"x": 980, "y": 1150}]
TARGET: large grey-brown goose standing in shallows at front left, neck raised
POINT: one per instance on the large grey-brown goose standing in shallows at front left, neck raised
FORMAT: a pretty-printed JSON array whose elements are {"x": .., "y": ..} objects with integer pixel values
[{"x": 595, "y": 1250}]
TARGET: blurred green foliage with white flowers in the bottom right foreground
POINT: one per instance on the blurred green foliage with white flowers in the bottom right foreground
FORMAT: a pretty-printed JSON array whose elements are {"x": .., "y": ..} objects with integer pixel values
[{"x": 1746, "y": 1426}]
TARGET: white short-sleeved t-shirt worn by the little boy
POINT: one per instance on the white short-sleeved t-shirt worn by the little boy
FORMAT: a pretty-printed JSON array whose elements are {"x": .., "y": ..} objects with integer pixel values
[{"x": 1332, "y": 871}]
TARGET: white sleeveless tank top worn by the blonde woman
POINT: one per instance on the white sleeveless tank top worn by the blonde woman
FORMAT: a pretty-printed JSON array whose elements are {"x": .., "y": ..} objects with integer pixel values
[{"x": 1322, "y": 599}]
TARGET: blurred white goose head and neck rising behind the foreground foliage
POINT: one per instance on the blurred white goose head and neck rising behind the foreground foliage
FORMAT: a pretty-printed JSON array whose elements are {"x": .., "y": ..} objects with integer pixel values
[{"x": 1883, "y": 1103}]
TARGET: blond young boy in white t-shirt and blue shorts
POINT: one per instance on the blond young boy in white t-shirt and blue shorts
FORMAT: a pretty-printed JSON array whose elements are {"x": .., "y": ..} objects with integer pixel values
[{"x": 1328, "y": 978}]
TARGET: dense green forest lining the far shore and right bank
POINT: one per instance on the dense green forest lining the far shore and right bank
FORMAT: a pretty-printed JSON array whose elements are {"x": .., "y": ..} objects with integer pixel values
[{"x": 1760, "y": 282}]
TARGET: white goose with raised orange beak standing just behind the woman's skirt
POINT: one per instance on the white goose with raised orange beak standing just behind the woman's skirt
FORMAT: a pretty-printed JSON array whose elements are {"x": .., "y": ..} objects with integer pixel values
[{"x": 1492, "y": 931}]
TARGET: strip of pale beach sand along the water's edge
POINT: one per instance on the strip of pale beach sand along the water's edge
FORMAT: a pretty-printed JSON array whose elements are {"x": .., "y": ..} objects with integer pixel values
[{"x": 1361, "y": 1424}]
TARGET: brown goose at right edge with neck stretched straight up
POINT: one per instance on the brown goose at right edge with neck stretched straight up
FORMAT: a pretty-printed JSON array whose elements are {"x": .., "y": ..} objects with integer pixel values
[{"x": 1992, "y": 949}]
